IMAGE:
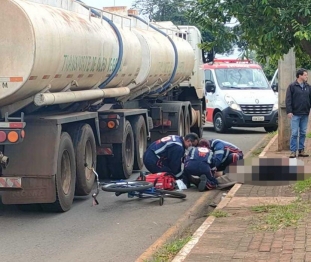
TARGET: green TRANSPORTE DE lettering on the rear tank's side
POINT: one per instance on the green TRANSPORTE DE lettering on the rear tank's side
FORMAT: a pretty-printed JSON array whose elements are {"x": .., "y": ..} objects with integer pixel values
[{"x": 88, "y": 63}]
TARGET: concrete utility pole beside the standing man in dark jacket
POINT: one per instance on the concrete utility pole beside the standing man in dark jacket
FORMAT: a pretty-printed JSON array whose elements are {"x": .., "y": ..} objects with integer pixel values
[{"x": 286, "y": 75}]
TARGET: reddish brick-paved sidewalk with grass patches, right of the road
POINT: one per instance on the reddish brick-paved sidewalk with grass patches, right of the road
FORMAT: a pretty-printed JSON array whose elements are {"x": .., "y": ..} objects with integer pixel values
[{"x": 232, "y": 238}]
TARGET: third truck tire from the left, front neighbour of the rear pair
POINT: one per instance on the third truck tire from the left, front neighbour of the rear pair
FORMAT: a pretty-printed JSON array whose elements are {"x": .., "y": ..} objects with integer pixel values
[{"x": 121, "y": 164}]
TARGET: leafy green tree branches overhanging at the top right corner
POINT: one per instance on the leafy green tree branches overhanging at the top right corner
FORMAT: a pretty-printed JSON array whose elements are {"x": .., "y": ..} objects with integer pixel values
[{"x": 270, "y": 27}]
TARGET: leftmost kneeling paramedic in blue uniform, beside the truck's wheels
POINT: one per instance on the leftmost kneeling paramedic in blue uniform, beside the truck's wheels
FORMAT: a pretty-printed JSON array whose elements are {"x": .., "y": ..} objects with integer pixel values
[{"x": 165, "y": 154}]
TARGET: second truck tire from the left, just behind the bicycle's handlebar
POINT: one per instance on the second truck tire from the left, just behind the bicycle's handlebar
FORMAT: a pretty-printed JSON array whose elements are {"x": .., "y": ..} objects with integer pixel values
[{"x": 85, "y": 150}]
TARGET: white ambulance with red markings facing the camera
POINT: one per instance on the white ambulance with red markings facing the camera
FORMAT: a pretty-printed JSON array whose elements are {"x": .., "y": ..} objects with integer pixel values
[{"x": 238, "y": 94}]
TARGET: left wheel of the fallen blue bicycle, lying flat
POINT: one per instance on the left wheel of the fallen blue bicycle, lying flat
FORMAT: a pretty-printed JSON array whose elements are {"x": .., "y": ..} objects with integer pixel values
[{"x": 126, "y": 187}]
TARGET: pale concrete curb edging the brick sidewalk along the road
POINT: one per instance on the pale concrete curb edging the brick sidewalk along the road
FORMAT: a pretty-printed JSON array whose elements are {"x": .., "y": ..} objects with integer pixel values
[{"x": 185, "y": 251}]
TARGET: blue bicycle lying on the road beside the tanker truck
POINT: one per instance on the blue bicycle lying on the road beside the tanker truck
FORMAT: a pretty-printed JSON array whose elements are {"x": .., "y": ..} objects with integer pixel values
[{"x": 139, "y": 188}]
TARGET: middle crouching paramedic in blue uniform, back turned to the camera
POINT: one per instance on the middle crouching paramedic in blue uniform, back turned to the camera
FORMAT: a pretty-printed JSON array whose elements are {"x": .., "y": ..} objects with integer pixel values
[{"x": 197, "y": 163}]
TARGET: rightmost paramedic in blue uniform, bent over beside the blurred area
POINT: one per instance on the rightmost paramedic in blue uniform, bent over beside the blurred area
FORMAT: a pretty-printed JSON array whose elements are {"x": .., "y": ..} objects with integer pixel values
[{"x": 224, "y": 154}]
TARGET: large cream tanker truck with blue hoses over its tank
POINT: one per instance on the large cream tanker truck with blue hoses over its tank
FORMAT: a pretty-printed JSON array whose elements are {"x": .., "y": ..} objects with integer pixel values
[{"x": 81, "y": 85}]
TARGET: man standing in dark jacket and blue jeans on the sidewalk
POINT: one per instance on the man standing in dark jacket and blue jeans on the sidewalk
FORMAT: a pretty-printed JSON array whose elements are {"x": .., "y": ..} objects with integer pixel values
[{"x": 298, "y": 104}]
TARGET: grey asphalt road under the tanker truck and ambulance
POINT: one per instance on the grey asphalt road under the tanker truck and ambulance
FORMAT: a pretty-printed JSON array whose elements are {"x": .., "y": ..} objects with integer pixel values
[{"x": 118, "y": 229}]
